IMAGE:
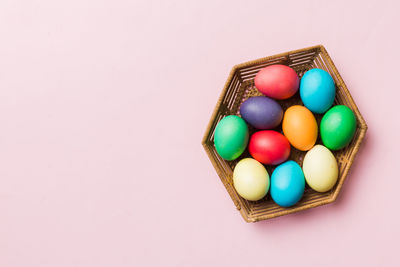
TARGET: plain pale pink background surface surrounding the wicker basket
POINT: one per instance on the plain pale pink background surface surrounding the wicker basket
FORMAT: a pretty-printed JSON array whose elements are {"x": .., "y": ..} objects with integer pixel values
[{"x": 103, "y": 105}]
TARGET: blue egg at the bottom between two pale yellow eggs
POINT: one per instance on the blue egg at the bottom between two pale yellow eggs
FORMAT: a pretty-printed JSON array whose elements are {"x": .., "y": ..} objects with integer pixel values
[{"x": 287, "y": 184}]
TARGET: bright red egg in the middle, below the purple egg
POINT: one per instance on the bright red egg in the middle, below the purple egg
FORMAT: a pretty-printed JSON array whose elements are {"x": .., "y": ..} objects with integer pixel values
[{"x": 269, "y": 147}]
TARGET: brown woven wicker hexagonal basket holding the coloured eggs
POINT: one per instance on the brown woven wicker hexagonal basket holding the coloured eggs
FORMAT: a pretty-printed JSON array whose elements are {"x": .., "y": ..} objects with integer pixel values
[{"x": 239, "y": 87}]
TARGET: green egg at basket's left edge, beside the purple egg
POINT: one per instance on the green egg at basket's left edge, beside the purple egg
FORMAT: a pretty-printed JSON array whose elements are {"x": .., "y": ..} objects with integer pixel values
[{"x": 231, "y": 137}]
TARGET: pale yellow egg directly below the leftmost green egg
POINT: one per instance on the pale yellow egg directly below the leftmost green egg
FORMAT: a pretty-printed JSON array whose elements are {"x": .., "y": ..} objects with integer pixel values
[{"x": 250, "y": 179}]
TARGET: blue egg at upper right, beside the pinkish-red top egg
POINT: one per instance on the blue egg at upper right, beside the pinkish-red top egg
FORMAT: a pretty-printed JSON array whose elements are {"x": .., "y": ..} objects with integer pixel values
[{"x": 317, "y": 90}]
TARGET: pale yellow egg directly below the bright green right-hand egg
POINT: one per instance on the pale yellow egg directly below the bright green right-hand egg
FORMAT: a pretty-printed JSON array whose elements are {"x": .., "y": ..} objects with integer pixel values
[{"x": 320, "y": 169}]
